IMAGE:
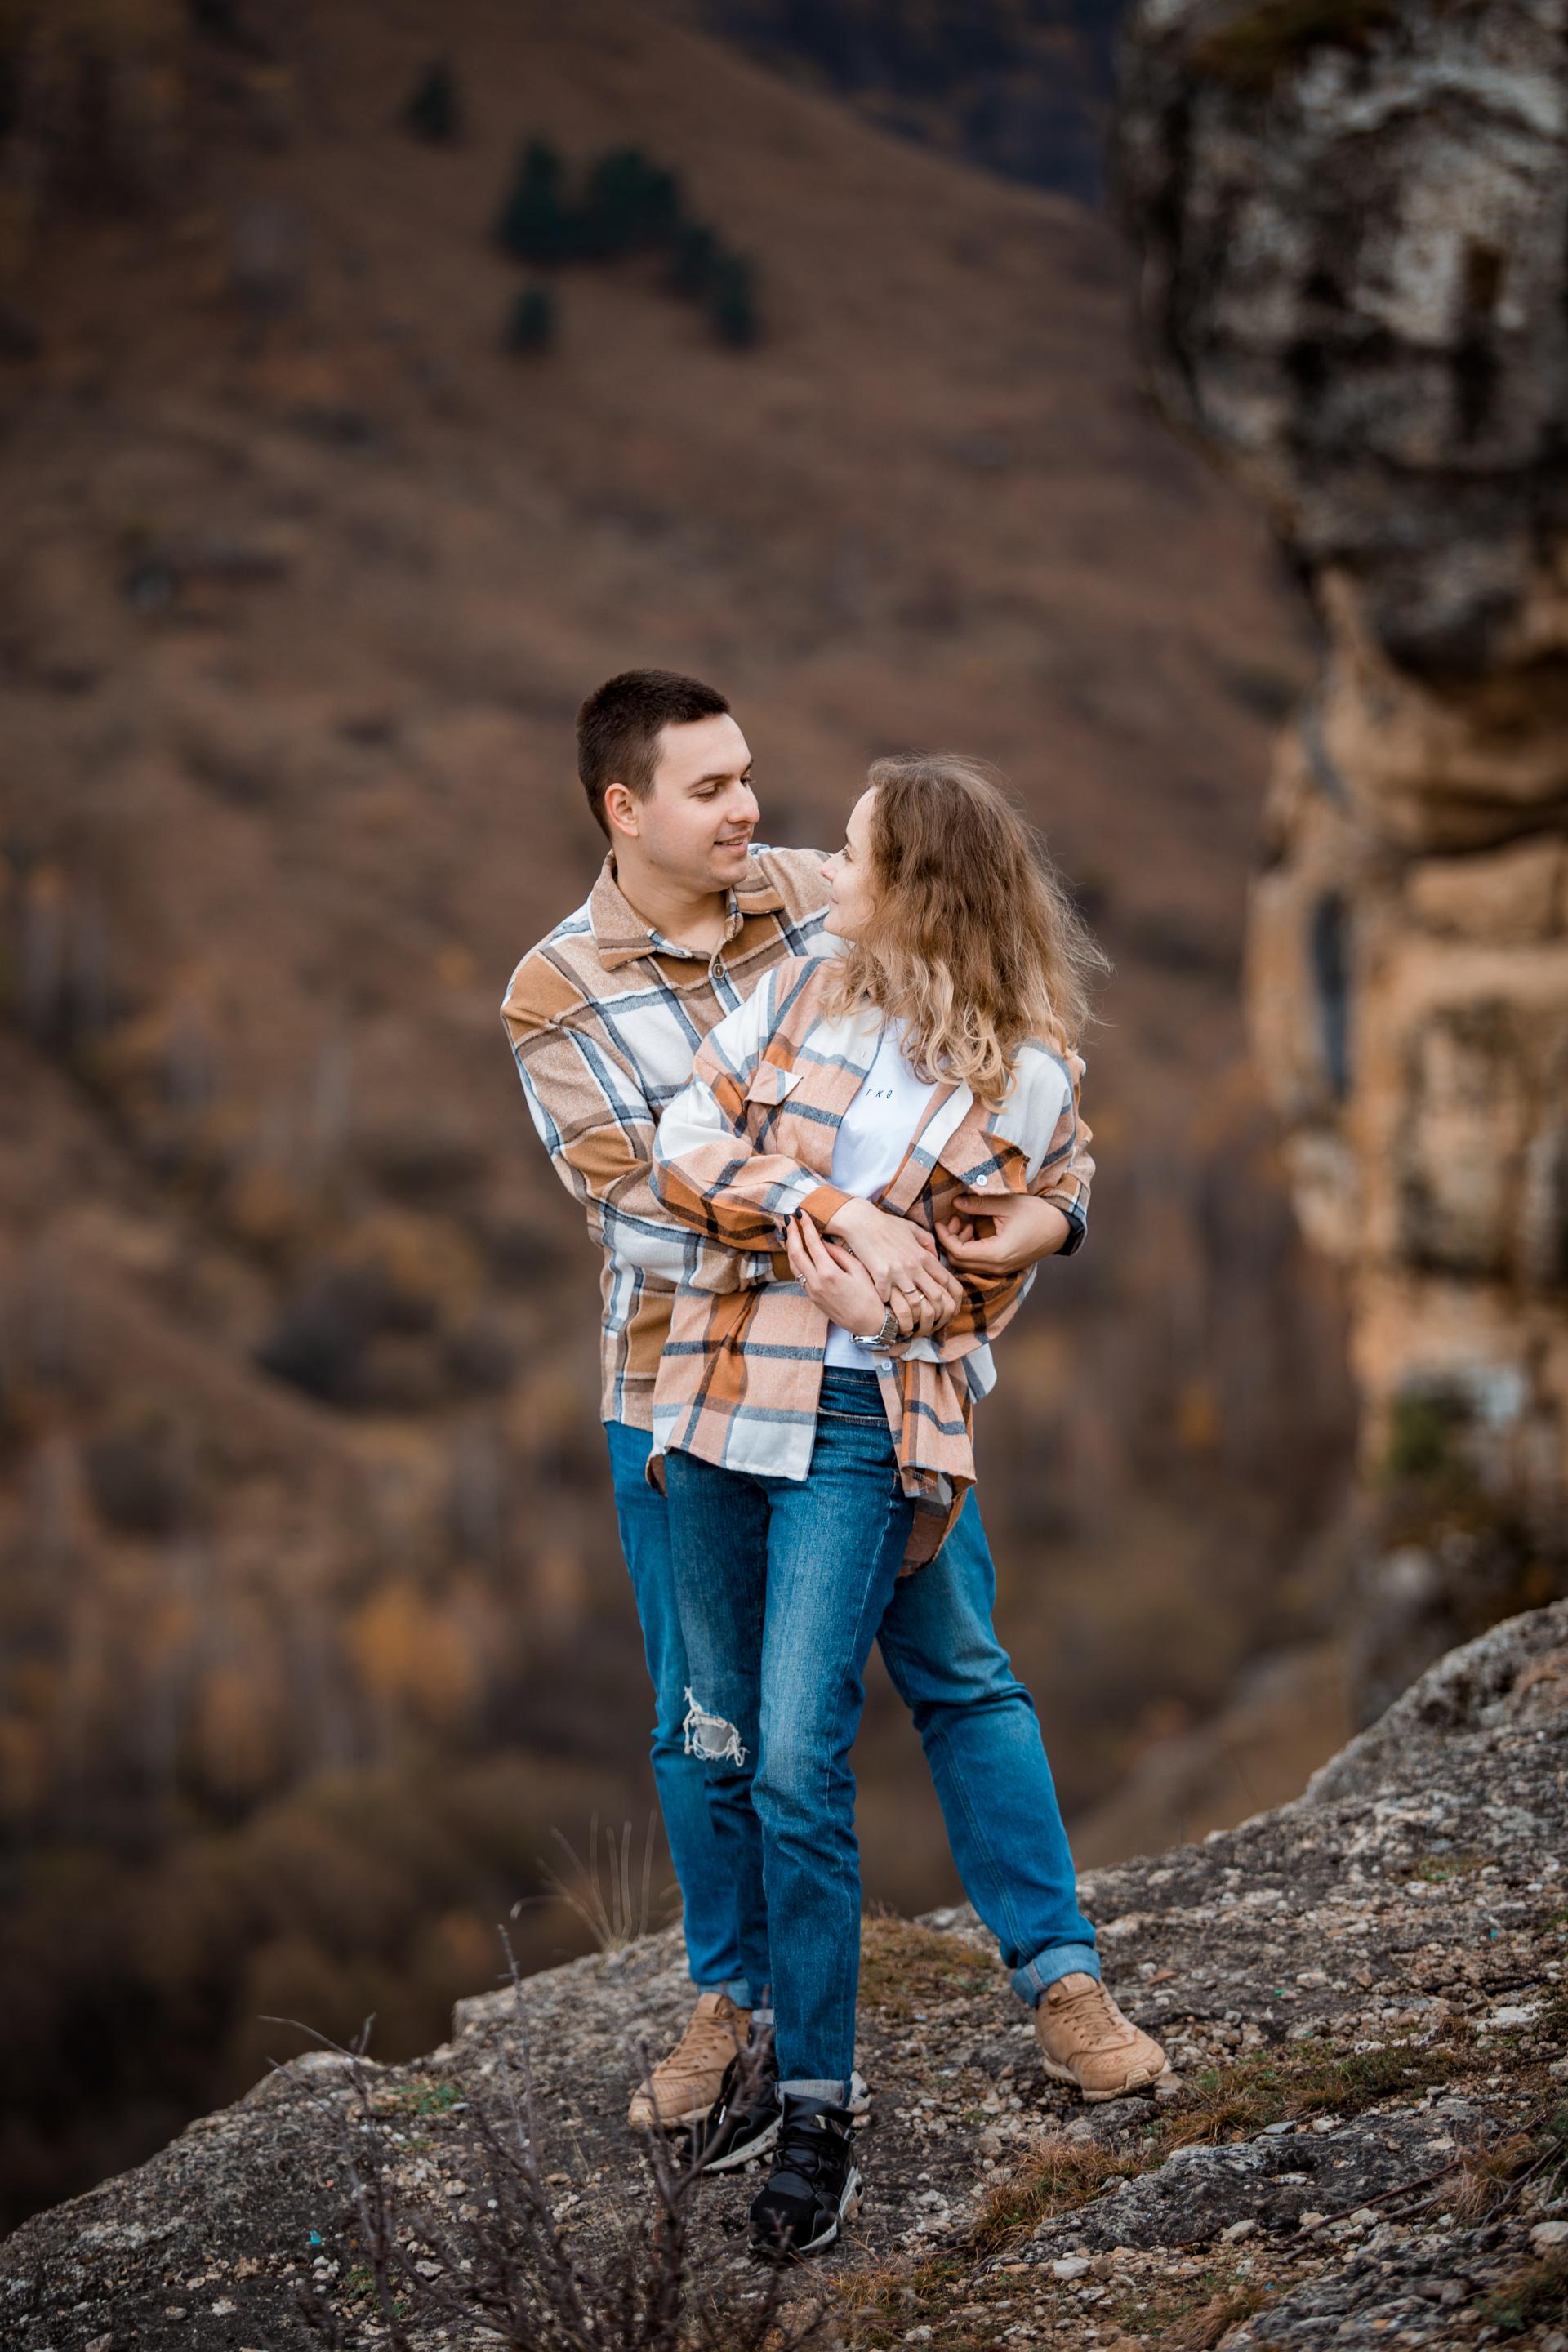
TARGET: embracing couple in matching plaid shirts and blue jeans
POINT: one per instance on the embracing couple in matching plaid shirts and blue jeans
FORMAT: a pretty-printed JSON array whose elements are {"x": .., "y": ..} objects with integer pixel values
[{"x": 824, "y": 1118}]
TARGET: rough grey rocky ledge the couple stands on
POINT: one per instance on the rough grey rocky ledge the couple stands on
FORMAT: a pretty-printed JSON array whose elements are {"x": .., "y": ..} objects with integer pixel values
[{"x": 1365, "y": 2139}]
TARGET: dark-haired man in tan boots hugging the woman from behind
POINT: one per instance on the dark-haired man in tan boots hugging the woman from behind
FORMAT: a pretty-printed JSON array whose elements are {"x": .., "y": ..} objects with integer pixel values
[{"x": 605, "y": 1020}]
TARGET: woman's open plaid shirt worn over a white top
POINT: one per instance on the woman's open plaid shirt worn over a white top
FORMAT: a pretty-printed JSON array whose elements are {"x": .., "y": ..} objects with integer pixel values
[{"x": 746, "y": 1147}]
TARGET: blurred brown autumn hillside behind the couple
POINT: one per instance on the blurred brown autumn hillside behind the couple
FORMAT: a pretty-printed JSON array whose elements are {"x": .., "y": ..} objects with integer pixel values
[{"x": 311, "y": 1615}]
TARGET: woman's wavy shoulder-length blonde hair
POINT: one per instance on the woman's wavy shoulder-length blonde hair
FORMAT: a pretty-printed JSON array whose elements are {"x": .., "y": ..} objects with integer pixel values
[{"x": 974, "y": 942}]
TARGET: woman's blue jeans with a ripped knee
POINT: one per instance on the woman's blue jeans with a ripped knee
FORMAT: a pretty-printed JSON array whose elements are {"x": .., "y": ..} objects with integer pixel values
[{"x": 782, "y": 1586}]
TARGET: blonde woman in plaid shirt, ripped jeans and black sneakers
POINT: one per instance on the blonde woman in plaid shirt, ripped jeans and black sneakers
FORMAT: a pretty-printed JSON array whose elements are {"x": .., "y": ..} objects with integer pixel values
[{"x": 817, "y": 1443}]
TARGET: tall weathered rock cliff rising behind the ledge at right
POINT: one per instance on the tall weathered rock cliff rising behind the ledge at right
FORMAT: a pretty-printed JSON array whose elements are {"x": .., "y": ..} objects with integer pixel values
[{"x": 1351, "y": 225}]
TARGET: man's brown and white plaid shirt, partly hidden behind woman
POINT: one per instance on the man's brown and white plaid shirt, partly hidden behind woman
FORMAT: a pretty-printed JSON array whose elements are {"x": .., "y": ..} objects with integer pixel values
[{"x": 605, "y": 1022}]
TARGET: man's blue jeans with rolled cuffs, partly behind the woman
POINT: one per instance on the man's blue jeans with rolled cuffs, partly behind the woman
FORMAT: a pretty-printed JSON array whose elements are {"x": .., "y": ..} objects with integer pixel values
[{"x": 974, "y": 1720}]
